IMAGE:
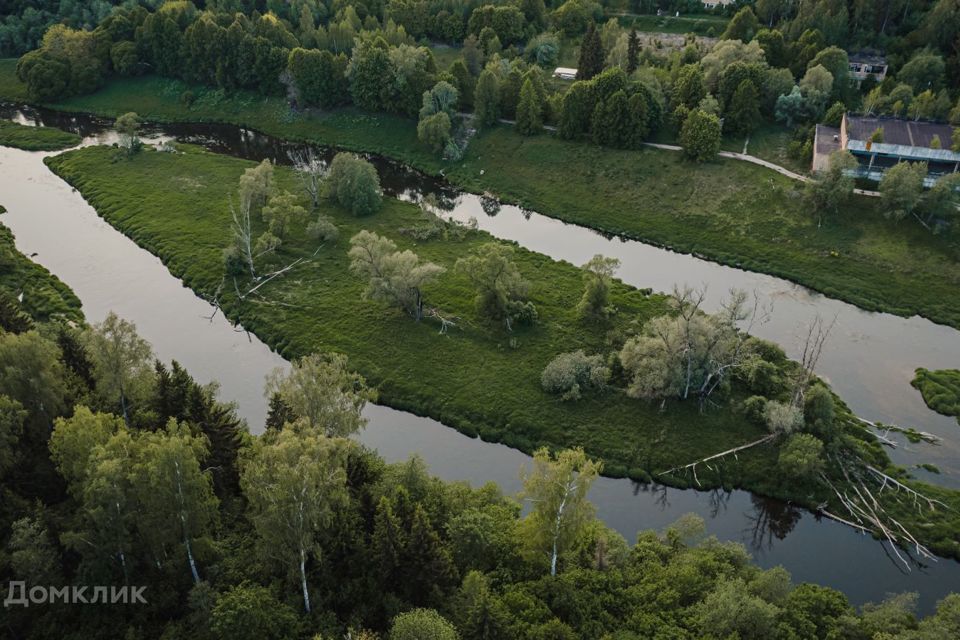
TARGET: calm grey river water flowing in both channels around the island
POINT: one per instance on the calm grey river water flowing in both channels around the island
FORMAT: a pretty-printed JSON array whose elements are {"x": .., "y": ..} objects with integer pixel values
[{"x": 869, "y": 360}]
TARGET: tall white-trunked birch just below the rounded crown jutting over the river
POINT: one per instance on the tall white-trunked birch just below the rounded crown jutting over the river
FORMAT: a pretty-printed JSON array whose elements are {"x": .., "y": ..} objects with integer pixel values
[{"x": 295, "y": 483}]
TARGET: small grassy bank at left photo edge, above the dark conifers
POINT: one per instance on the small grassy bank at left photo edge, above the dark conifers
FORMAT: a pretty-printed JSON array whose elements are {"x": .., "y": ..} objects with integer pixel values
[{"x": 45, "y": 297}]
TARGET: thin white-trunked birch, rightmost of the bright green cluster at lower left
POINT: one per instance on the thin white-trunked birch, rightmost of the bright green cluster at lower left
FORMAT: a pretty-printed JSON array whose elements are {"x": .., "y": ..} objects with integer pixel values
[{"x": 177, "y": 504}]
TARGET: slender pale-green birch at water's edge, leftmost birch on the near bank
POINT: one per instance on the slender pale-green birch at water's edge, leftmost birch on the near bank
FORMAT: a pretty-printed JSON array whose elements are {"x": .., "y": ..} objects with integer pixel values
[{"x": 122, "y": 362}]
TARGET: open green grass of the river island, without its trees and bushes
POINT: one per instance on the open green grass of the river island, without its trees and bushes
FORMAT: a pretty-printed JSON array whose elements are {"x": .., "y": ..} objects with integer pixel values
[{"x": 476, "y": 379}]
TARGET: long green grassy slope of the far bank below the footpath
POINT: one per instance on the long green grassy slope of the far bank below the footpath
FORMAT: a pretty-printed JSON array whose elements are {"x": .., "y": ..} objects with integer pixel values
[{"x": 726, "y": 211}]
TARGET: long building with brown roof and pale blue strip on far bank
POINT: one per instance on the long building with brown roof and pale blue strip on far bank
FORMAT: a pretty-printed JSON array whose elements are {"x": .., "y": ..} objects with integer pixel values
[{"x": 880, "y": 143}]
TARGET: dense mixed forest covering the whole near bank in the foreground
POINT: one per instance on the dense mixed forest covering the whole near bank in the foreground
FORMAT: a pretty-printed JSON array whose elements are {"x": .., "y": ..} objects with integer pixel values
[{"x": 120, "y": 470}]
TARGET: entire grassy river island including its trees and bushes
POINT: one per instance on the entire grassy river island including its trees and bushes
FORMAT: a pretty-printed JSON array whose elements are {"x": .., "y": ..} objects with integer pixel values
[{"x": 476, "y": 360}]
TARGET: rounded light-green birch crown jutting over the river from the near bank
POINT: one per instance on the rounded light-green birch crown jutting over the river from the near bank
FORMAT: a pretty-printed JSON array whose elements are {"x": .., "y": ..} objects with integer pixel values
[{"x": 323, "y": 393}]
